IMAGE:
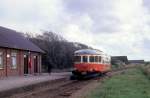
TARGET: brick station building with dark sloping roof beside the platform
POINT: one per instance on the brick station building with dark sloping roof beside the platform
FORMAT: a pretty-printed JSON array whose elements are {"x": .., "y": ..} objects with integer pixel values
[{"x": 18, "y": 56}]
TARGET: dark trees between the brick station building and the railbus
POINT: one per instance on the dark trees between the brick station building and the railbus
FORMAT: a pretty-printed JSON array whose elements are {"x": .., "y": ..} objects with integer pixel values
[{"x": 59, "y": 53}]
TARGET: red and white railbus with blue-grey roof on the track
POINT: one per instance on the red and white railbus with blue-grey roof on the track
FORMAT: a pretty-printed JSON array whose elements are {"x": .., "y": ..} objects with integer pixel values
[{"x": 90, "y": 61}]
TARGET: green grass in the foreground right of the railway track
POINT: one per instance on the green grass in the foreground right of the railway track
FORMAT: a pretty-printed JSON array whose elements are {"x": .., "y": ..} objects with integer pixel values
[{"x": 130, "y": 84}]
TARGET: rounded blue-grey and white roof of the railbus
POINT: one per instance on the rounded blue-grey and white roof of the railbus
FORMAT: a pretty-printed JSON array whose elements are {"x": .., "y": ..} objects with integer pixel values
[{"x": 88, "y": 52}]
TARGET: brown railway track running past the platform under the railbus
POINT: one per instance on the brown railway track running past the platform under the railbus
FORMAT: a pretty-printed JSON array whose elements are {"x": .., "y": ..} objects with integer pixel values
[{"x": 64, "y": 88}]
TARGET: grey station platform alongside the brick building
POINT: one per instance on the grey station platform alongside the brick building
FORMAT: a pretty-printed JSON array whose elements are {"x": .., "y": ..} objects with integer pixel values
[{"x": 14, "y": 84}]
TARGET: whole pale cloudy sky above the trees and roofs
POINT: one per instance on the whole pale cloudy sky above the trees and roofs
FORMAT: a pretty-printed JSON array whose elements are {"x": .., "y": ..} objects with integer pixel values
[{"x": 117, "y": 27}]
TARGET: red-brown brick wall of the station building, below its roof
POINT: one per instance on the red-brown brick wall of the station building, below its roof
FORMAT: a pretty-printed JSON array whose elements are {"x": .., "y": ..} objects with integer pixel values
[{"x": 19, "y": 71}]
